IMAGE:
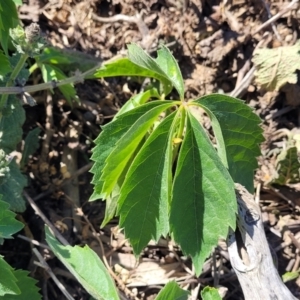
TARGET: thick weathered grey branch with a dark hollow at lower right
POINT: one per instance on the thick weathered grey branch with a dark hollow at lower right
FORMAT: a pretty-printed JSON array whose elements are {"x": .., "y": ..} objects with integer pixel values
[{"x": 250, "y": 254}]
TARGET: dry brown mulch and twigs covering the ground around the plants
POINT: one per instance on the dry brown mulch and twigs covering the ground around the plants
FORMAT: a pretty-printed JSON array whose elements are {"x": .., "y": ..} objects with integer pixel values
[{"x": 213, "y": 42}]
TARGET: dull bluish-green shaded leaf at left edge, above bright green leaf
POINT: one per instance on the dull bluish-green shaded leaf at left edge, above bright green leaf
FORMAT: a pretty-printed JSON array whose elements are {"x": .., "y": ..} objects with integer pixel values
[{"x": 12, "y": 188}]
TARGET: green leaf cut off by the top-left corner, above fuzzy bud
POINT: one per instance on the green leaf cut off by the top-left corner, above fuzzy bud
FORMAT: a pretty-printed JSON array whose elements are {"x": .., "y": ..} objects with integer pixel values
[{"x": 8, "y": 19}]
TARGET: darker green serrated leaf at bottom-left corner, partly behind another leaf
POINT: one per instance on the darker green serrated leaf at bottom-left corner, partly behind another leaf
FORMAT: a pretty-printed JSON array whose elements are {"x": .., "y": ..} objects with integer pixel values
[{"x": 27, "y": 286}]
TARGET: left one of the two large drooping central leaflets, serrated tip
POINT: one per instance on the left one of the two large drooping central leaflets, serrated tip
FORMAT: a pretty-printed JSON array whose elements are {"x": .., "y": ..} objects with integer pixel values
[{"x": 145, "y": 194}]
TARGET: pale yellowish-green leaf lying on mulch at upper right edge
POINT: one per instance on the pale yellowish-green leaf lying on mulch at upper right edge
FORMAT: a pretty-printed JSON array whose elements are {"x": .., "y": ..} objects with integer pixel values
[{"x": 276, "y": 67}]
